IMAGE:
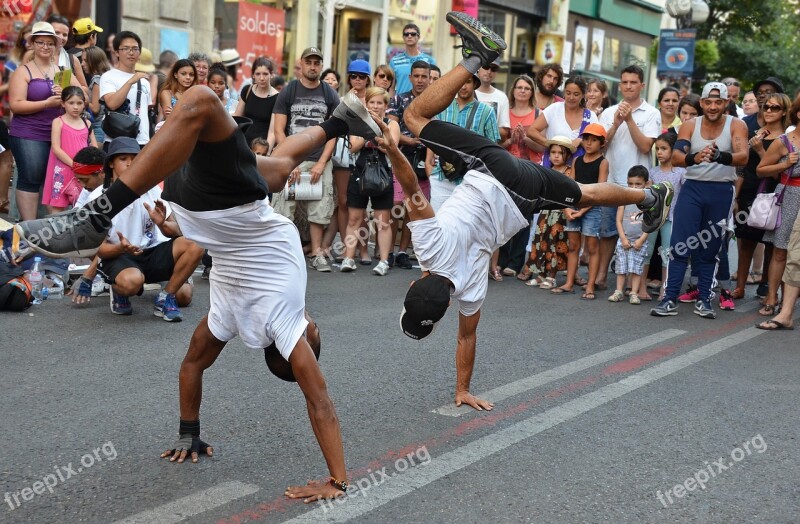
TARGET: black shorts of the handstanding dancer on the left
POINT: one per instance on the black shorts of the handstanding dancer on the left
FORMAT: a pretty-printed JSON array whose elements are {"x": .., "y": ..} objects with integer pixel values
[{"x": 218, "y": 175}]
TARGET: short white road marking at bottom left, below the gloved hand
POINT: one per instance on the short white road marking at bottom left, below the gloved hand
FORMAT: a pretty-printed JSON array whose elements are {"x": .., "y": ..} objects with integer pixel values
[{"x": 191, "y": 505}]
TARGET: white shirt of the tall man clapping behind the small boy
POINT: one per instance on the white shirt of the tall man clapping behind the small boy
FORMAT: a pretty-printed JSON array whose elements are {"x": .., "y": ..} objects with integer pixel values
[{"x": 622, "y": 153}]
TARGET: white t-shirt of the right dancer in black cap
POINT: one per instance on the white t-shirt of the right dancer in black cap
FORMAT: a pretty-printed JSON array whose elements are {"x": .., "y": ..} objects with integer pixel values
[{"x": 459, "y": 241}]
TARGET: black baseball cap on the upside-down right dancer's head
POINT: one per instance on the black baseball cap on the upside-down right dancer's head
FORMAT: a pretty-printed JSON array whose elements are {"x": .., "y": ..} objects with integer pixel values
[{"x": 425, "y": 304}]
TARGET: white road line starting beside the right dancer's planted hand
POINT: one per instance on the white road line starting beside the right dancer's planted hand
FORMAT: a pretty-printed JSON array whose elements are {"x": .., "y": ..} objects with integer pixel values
[{"x": 551, "y": 375}]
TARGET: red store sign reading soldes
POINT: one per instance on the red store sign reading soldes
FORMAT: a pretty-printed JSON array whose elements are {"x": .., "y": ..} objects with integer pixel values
[{"x": 259, "y": 32}]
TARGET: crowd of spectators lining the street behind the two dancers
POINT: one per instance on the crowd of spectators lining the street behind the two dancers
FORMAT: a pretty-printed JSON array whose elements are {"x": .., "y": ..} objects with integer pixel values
[{"x": 569, "y": 123}]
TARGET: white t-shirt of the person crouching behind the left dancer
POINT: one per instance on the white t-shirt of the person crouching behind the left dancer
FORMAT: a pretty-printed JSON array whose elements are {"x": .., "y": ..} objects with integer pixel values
[{"x": 134, "y": 221}]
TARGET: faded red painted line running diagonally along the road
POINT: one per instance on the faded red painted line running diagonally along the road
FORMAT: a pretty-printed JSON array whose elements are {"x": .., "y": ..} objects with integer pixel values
[{"x": 491, "y": 418}]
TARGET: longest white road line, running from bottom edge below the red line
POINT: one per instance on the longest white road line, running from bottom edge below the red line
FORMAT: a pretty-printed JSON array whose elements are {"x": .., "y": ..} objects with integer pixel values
[{"x": 479, "y": 449}]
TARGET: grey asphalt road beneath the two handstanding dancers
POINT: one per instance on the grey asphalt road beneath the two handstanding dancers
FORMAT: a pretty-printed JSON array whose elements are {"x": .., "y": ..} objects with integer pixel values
[{"x": 601, "y": 412}]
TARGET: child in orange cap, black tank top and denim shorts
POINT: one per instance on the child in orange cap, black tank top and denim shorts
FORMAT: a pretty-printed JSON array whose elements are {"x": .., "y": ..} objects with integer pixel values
[{"x": 591, "y": 168}]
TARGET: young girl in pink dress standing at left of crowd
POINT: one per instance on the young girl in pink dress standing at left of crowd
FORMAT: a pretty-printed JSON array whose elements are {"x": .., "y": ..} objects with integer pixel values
[{"x": 70, "y": 133}]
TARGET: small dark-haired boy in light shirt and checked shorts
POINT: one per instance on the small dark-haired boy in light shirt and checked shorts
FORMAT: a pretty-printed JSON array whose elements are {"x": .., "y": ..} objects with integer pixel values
[{"x": 632, "y": 243}]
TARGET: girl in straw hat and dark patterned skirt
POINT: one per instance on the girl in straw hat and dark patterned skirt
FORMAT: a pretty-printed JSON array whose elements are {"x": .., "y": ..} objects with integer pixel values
[{"x": 549, "y": 247}]
